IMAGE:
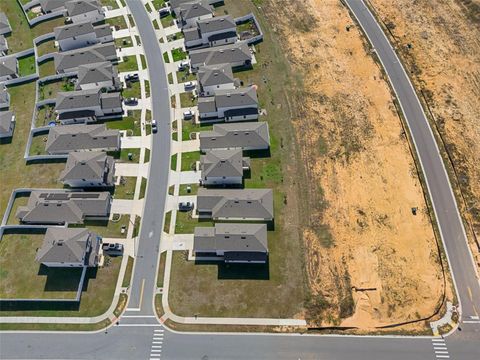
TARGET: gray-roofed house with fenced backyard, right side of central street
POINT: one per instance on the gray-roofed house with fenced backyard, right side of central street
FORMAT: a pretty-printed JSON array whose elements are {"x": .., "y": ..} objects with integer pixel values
[{"x": 216, "y": 31}]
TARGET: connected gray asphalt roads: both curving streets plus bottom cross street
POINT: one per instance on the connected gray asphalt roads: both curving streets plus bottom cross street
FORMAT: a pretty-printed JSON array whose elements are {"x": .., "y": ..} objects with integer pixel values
[{"x": 133, "y": 338}]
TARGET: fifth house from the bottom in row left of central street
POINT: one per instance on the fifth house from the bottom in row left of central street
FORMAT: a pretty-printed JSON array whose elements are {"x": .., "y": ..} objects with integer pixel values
[{"x": 85, "y": 106}]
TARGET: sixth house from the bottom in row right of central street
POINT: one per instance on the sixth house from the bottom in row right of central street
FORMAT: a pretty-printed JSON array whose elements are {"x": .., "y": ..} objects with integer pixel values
[{"x": 215, "y": 77}]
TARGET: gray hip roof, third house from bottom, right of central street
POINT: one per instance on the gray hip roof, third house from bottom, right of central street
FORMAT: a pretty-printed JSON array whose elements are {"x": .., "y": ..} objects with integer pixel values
[{"x": 218, "y": 163}]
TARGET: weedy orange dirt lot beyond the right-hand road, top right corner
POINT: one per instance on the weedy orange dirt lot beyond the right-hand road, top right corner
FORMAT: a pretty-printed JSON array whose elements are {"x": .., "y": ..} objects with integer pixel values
[{"x": 444, "y": 56}]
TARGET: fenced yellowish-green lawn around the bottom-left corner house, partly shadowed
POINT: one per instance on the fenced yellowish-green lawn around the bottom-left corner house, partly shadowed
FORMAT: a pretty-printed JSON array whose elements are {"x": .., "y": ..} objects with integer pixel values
[{"x": 22, "y": 277}]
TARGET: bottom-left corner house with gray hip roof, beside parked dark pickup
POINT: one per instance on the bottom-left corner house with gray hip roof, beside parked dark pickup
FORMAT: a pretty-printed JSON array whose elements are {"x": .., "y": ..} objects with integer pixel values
[{"x": 70, "y": 247}]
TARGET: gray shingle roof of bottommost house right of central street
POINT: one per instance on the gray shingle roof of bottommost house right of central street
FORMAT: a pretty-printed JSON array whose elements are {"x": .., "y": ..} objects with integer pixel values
[{"x": 231, "y": 237}]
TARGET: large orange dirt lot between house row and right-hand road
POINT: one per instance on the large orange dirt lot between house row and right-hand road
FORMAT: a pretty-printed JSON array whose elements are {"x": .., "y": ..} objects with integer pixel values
[{"x": 370, "y": 261}]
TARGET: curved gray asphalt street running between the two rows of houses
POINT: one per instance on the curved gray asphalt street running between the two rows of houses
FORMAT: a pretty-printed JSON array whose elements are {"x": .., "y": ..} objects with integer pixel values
[{"x": 143, "y": 283}]
